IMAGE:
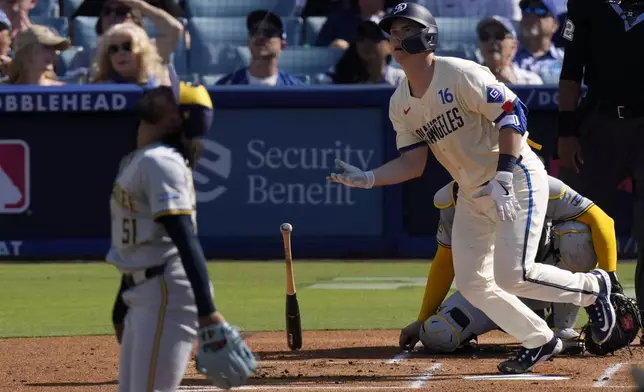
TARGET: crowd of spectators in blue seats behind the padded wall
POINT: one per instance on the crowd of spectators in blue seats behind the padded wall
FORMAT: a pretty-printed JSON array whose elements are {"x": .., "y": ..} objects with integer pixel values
[{"x": 269, "y": 42}]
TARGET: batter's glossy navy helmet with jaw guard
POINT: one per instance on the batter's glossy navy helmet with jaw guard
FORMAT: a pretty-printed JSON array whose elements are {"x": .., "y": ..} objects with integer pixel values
[{"x": 423, "y": 41}]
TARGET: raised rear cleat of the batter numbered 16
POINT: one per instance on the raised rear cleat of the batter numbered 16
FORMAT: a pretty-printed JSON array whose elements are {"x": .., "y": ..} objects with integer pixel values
[{"x": 601, "y": 314}]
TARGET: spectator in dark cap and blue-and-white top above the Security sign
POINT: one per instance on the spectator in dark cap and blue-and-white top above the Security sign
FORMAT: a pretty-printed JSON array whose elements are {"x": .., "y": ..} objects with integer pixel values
[{"x": 266, "y": 39}]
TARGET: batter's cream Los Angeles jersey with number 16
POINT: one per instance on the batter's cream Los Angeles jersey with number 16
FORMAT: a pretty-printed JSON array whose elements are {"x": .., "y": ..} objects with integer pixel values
[{"x": 456, "y": 117}]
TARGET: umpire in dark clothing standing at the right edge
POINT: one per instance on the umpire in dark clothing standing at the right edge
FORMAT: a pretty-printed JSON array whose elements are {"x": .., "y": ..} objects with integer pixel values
[{"x": 602, "y": 139}]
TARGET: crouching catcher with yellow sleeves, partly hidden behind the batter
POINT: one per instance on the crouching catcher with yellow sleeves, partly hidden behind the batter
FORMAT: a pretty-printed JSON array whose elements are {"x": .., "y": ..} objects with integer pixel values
[{"x": 577, "y": 236}]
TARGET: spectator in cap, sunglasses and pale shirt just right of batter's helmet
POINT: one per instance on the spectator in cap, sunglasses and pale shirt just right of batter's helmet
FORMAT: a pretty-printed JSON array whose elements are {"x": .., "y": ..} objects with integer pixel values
[{"x": 498, "y": 45}]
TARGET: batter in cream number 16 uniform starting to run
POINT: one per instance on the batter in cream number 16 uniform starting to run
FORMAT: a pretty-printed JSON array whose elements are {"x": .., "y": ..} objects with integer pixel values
[{"x": 476, "y": 127}]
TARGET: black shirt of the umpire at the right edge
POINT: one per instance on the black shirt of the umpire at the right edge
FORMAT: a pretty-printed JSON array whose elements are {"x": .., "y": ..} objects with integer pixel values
[{"x": 607, "y": 38}]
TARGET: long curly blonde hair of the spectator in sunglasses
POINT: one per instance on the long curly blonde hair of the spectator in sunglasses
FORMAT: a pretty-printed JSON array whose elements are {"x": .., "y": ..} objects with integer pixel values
[{"x": 150, "y": 64}]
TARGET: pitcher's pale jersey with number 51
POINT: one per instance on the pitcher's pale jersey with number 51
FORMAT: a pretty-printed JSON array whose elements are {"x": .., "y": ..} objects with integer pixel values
[{"x": 152, "y": 181}]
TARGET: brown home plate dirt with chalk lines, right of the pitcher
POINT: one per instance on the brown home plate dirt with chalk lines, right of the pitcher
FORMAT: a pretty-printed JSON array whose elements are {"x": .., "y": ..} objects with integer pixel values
[{"x": 369, "y": 361}]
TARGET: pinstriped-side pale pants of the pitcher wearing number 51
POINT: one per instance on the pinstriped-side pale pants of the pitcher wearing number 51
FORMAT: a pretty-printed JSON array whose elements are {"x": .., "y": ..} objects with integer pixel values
[{"x": 160, "y": 328}]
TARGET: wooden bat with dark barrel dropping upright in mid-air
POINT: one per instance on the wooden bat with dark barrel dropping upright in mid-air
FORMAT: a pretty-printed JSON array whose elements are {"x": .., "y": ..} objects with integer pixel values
[{"x": 293, "y": 322}]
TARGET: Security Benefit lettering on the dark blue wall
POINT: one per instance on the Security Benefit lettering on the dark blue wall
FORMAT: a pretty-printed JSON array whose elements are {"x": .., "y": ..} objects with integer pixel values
[{"x": 312, "y": 164}]
